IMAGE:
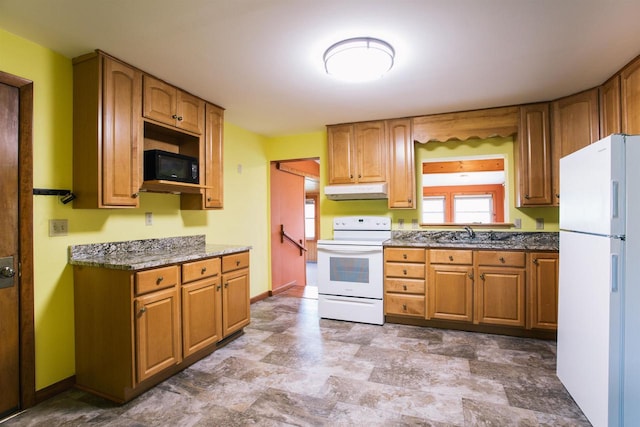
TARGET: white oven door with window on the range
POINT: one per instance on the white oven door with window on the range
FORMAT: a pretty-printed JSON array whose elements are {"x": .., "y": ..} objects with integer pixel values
[{"x": 350, "y": 270}]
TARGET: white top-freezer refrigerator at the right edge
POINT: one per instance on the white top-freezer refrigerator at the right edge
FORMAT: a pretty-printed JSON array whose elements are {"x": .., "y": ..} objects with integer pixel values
[{"x": 599, "y": 294}]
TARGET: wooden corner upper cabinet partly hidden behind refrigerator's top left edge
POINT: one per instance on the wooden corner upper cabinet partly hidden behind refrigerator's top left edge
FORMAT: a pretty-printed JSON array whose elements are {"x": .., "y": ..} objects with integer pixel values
[{"x": 576, "y": 124}]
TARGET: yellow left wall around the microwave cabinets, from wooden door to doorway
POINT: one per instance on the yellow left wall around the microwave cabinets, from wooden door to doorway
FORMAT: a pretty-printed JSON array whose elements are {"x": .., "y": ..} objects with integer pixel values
[{"x": 243, "y": 220}]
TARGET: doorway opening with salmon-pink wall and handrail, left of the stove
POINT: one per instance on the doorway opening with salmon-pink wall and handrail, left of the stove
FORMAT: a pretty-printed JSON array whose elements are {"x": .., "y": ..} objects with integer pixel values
[{"x": 295, "y": 226}]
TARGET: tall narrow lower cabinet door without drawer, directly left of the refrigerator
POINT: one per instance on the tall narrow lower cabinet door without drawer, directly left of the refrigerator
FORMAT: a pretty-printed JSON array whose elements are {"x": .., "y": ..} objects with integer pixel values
[{"x": 543, "y": 290}]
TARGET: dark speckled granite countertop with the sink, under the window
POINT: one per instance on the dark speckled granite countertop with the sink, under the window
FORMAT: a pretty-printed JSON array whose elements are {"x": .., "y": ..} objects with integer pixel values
[{"x": 530, "y": 241}]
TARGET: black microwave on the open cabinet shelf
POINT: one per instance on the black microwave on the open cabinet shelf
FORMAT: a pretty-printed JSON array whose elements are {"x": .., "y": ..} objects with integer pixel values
[{"x": 168, "y": 166}]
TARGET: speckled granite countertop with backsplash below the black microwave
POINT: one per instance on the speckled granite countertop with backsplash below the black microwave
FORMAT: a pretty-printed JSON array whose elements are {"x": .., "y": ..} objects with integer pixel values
[{"x": 141, "y": 254}]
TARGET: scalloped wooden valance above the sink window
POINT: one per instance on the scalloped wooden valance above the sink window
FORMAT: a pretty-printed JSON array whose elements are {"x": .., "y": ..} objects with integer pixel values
[{"x": 489, "y": 123}]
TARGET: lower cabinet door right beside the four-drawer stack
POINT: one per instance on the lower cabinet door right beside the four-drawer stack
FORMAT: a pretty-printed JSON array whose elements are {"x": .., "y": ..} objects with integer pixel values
[{"x": 450, "y": 292}]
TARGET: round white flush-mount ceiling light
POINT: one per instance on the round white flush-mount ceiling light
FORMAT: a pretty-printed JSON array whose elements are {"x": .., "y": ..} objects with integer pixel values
[{"x": 359, "y": 59}]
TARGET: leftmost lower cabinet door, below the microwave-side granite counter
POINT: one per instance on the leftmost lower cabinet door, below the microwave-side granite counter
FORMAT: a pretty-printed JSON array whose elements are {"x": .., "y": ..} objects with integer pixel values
[{"x": 157, "y": 332}]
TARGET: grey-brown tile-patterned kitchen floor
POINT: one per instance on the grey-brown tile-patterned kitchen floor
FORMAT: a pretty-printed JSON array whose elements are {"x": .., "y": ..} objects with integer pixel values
[{"x": 292, "y": 369}]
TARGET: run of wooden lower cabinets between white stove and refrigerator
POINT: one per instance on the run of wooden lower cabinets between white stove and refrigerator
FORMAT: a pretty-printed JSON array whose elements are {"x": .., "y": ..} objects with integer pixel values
[{"x": 506, "y": 290}]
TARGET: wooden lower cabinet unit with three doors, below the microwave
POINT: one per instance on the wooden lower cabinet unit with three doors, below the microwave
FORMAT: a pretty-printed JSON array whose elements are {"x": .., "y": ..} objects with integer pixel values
[{"x": 133, "y": 329}]
